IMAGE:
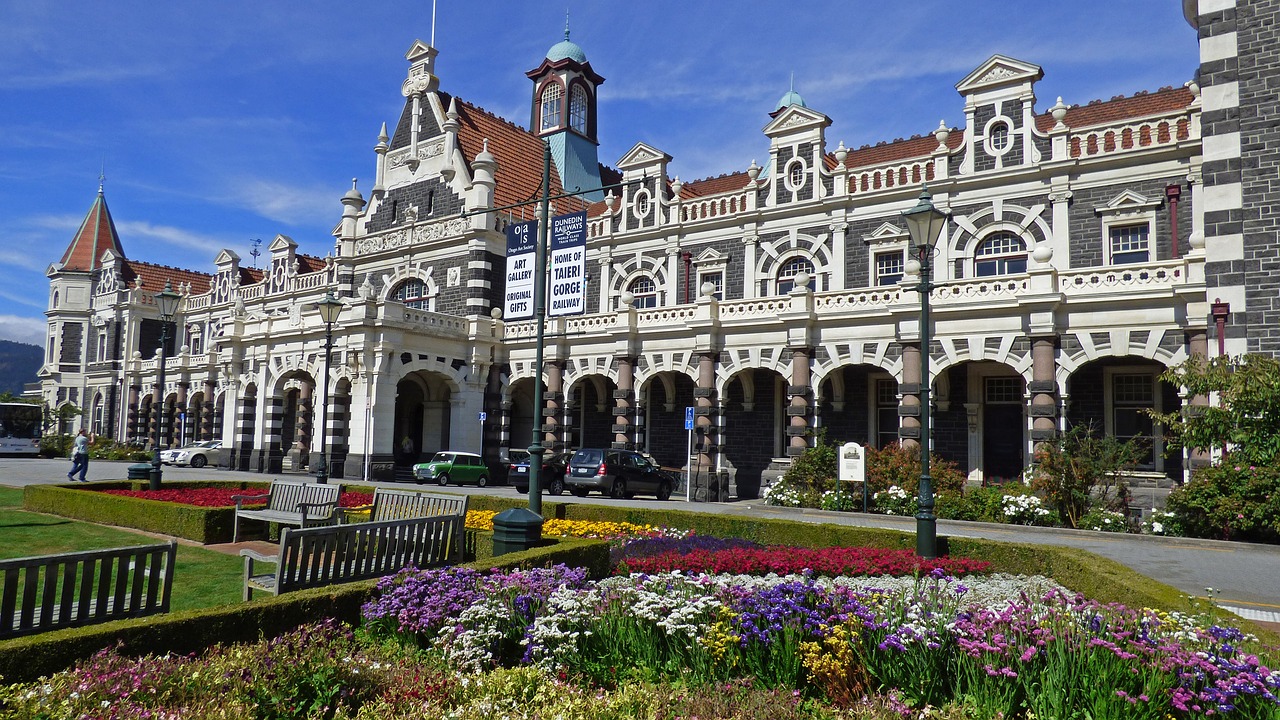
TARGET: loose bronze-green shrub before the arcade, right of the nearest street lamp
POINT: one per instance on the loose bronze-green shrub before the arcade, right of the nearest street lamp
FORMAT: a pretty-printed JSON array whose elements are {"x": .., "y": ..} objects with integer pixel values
[{"x": 1082, "y": 471}]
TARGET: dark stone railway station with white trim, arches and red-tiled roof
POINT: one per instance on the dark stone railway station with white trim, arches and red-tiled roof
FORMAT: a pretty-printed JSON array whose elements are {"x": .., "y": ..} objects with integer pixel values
[{"x": 1090, "y": 248}]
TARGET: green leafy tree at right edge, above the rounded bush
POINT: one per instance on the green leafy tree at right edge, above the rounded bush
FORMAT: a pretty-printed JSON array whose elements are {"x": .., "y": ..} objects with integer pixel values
[{"x": 1247, "y": 417}]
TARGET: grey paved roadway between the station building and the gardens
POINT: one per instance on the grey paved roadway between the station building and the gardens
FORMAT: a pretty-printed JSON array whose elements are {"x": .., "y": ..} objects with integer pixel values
[{"x": 1245, "y": 577}]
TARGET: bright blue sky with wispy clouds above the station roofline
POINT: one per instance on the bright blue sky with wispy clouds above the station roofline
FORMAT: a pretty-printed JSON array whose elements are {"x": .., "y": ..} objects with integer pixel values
[{"x": 223, "y": 122}]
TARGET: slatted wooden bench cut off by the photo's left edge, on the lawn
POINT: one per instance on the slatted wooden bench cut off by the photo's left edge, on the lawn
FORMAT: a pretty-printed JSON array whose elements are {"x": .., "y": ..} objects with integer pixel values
[{"x": 80, "y": 589}]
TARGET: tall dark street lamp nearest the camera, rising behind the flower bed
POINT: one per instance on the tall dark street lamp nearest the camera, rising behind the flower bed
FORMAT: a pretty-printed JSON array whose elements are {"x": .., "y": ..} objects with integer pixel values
[{"x": 926, "y": 222}]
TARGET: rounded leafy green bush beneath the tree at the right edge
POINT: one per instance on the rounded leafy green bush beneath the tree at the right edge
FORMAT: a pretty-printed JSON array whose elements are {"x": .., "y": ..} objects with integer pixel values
[{"x": 1229, "y": 502}]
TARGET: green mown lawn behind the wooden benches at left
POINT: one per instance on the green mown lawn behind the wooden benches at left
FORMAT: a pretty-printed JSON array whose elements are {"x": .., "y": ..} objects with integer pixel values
[{"x": 202, "y": 578}]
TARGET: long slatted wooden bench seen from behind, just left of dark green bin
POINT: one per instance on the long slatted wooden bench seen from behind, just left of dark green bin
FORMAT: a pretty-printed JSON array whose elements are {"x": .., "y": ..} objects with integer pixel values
[{"x": 313, "y": 558}]
